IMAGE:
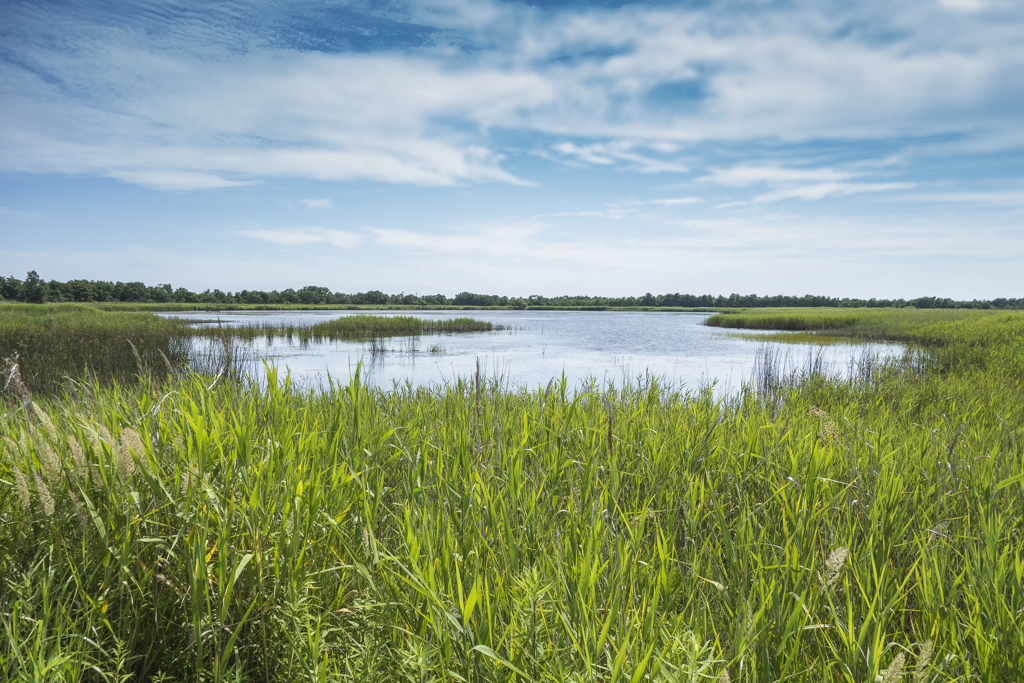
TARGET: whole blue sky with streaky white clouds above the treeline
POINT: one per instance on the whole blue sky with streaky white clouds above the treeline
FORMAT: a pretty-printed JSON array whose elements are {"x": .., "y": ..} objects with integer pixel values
[{"x": 863, "y": 150}]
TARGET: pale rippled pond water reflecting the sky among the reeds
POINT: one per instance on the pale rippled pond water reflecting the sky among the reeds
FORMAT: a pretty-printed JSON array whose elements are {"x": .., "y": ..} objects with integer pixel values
[{"x": 610, "y": 348}]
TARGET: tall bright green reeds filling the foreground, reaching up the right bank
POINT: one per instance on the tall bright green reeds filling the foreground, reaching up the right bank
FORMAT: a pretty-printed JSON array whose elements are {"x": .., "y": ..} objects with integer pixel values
[{"x": 810, "y": 528}]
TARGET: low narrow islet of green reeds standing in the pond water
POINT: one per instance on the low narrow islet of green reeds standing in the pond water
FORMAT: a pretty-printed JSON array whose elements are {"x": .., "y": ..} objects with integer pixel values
[{"x": 353, "y": 328}]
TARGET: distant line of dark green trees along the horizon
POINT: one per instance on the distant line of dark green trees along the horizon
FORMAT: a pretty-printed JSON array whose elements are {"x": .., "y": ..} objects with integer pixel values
[{"x": 35, "y": 290}]
